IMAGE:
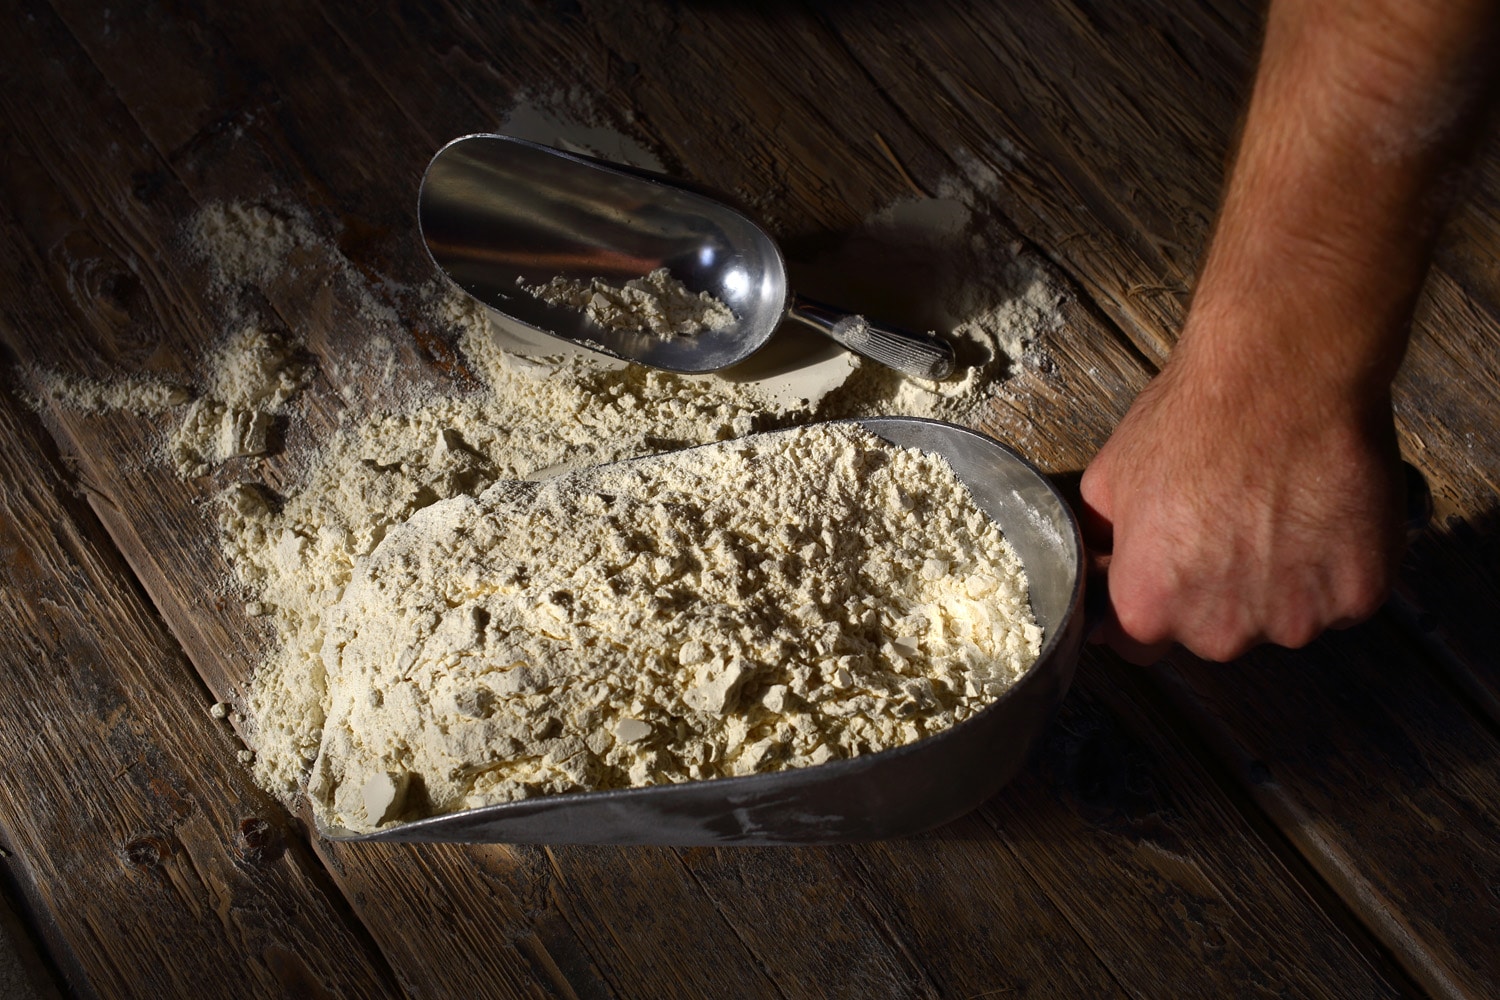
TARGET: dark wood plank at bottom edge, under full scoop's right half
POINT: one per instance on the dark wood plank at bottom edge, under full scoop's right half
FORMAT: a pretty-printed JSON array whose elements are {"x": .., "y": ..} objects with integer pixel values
[{"x": 977, "y": 924}]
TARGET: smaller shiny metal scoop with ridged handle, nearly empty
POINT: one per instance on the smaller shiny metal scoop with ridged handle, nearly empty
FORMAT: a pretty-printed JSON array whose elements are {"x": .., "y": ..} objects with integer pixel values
[{"x": 499, "y": 214}]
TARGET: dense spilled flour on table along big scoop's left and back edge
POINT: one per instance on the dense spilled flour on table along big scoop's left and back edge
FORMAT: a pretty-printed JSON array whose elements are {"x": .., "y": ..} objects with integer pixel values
[{"x": 532, "y": 418}]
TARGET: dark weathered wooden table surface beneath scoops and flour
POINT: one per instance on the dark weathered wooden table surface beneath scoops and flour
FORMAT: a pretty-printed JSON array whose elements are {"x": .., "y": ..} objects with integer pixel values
[{"x": 1315, "y": 824}]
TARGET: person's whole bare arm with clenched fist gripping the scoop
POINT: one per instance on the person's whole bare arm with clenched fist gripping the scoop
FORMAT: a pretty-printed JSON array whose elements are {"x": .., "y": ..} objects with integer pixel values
[{"x": 1253, "y": 491}]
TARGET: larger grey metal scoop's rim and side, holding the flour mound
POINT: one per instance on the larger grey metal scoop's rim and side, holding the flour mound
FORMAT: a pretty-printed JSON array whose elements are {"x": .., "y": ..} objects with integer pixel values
[{"x": 890, "y": 794}]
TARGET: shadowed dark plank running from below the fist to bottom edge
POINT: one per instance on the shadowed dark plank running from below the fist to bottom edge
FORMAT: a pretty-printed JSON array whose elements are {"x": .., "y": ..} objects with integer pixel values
[{"x": 1120, "y": 764}]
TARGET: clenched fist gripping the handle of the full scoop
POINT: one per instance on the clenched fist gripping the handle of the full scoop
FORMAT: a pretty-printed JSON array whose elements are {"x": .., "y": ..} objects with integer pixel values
[{"x": 1235, "y": 506}]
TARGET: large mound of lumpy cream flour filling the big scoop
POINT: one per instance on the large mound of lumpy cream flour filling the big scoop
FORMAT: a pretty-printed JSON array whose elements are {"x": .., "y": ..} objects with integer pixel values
[{"x": 742, "y": 608}]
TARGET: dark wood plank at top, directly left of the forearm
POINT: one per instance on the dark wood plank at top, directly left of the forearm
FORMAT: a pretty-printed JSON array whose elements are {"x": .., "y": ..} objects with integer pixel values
[{"x": 1100, "y": 161}]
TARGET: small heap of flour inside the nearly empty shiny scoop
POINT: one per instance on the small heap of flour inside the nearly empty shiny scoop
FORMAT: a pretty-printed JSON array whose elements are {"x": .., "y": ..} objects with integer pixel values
[{"x": 658, "y": 304}]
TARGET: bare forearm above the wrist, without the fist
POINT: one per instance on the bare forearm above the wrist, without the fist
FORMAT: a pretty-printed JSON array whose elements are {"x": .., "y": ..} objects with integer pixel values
[{"x": 1360, "y": 110}]
